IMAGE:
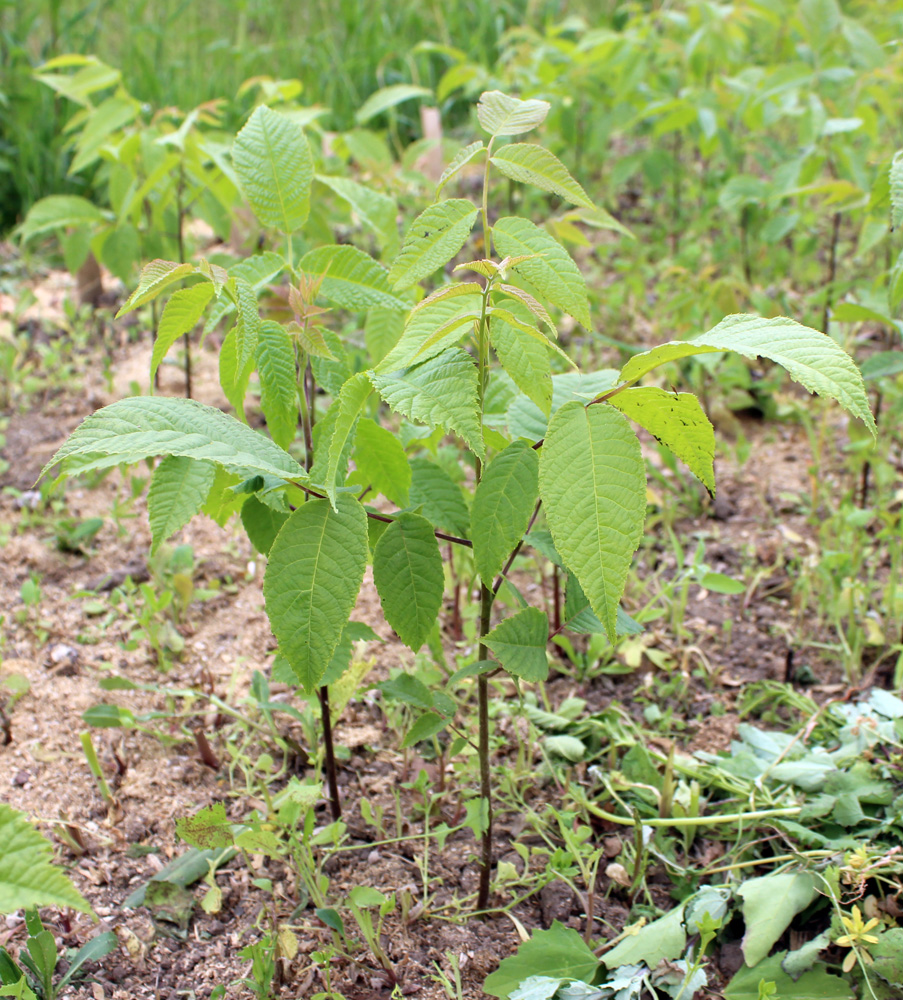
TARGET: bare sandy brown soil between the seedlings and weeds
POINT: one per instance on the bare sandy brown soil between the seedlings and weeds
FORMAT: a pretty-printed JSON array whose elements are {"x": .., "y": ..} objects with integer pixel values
[{"x": 65, "y": 646}]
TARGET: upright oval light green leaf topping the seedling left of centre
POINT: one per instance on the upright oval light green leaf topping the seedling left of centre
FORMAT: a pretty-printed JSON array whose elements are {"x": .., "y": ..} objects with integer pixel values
[{"x": 275, "y": 169}]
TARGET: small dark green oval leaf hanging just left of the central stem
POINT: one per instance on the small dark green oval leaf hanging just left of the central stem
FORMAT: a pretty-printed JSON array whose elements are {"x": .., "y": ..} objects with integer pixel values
[{"x": 408, "y": 573}]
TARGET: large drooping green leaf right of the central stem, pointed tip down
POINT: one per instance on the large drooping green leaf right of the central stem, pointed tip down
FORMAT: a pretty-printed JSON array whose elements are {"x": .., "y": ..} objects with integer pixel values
[{"x": 593, "y": 487}]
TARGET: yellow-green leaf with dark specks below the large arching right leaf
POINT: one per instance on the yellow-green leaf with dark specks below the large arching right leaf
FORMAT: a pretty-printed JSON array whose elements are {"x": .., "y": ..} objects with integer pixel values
[{"x": 676, "y": 420}]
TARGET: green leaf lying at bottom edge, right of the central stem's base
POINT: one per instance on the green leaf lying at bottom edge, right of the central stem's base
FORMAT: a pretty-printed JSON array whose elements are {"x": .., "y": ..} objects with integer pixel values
[{"x": 559, "y": 953}]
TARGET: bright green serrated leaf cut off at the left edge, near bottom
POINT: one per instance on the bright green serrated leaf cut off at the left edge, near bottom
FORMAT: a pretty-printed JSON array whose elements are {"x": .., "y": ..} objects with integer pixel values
[{"x": 28, "y": 877}]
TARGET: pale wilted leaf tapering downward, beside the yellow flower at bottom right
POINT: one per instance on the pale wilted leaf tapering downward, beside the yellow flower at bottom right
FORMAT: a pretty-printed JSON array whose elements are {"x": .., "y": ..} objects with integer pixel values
[{"x": 769, "y": 905}]
